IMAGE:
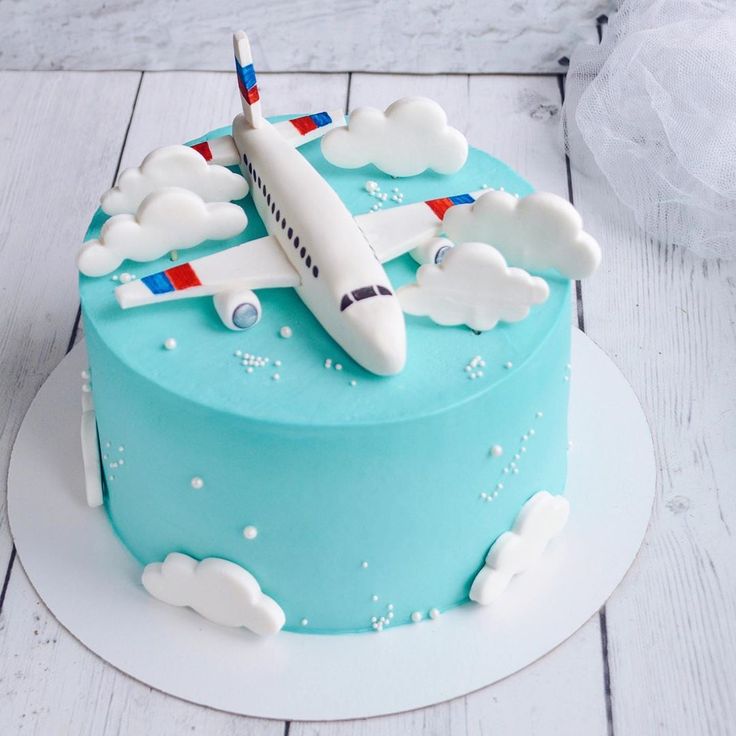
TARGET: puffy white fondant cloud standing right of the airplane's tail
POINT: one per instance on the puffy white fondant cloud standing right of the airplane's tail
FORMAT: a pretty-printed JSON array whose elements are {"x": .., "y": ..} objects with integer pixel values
[{"x": 410, "y": 137}]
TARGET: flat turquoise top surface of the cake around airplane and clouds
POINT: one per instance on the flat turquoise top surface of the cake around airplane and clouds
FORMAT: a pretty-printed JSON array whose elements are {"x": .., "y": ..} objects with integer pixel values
[{"x": 305, "y": 378}]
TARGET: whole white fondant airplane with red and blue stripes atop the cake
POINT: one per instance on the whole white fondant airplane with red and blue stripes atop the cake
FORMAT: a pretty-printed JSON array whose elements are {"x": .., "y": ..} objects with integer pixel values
[{"x": 315, "y": 245}]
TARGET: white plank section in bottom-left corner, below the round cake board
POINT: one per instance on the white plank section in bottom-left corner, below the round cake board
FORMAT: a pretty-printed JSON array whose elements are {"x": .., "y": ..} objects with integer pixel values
[{"x": 52, "y": 684}]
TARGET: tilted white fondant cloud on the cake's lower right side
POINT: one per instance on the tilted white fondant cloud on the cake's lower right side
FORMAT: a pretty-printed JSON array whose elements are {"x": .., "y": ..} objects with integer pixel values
[{"x": 541, "y": 518}]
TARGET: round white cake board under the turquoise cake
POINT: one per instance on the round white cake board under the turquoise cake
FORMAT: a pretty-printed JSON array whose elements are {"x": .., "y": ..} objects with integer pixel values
[{"x": 92, "y": 584}]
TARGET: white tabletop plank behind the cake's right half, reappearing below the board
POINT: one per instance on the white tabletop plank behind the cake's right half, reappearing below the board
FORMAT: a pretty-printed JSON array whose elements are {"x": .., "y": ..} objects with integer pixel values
[{"x": 516, "y": 119}]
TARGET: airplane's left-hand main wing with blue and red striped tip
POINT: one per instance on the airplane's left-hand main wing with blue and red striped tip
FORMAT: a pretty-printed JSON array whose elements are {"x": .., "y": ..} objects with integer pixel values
[{"x": 256, "y": 264}]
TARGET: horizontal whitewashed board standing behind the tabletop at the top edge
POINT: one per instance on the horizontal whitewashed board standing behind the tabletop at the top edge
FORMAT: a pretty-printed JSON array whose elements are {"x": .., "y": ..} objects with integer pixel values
[{"x": 427, "y": 36}]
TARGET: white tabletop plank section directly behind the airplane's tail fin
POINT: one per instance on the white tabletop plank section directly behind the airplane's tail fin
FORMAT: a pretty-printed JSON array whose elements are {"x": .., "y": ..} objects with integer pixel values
[{"x": 174, "y": 107}]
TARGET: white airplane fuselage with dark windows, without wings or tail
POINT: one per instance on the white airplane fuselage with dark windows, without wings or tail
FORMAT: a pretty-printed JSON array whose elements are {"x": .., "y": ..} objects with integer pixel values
[{"x": 342, "y": 282}]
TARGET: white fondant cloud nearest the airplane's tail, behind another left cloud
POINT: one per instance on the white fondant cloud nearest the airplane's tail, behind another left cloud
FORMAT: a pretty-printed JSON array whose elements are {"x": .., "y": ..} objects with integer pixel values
[{"x": 173, "y": 166}]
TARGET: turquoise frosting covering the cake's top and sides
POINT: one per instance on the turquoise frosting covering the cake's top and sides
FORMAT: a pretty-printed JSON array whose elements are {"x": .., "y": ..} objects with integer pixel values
[{"x": 387, "y": 471}]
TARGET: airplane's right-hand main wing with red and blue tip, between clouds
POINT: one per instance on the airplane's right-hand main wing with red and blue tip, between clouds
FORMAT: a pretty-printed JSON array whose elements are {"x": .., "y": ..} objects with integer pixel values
[{"x": 398, "y": 230}]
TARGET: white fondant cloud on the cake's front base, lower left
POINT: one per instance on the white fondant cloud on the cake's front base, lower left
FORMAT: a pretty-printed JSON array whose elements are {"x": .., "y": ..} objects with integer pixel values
[{"x": 217, "y": 589}]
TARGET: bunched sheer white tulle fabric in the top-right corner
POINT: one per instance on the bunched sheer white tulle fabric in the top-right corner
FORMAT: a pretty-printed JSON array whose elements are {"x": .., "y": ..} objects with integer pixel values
[{"x": 655, "y": 106}]
